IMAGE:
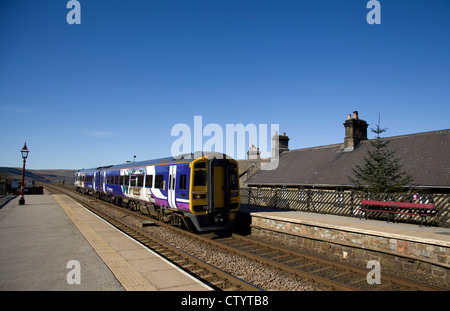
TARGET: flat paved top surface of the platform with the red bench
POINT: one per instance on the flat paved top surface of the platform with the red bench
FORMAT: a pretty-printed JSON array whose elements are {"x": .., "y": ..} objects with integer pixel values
[{"x": 411, "y": 232}]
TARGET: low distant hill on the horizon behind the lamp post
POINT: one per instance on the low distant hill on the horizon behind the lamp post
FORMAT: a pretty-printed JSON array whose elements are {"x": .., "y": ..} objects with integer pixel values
[{"x": 50, "y": 176}]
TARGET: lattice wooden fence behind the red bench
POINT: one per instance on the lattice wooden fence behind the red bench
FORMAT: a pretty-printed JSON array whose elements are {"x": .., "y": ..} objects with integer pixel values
[{"x": 344, "y": 203}]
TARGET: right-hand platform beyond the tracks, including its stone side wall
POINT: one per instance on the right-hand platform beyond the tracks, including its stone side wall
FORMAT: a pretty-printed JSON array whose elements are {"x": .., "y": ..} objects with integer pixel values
[{"x": 400, "y": 246}]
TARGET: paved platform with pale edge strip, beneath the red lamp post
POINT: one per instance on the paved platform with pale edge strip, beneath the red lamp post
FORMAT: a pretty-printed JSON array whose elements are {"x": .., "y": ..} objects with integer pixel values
[{"x": 53, "y": 243}]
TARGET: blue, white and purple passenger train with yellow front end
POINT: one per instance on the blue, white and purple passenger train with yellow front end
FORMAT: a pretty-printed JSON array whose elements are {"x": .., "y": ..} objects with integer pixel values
[{"x": 202, "y": 191}]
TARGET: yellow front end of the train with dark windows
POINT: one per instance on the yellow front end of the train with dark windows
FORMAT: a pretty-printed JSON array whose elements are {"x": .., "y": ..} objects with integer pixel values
[{"x": 214, "y": 193}]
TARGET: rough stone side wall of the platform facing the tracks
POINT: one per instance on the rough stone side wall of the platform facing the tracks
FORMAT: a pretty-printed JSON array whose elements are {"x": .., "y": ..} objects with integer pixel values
[{"x": 422, "y": 259}]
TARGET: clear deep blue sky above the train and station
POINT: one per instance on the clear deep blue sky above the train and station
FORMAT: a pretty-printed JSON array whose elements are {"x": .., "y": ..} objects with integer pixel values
[{"x": 114, "y": 86}]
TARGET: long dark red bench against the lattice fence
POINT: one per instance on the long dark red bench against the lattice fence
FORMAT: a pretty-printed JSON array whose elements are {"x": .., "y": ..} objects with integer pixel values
[{"x": 419, "y": 209}]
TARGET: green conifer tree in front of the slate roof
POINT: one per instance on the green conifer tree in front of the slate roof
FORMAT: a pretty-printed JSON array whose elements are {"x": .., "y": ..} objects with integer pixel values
[{"x": 381, "y": 172}]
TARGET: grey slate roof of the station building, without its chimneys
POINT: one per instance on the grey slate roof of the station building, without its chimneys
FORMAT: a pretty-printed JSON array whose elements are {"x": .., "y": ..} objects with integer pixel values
[{"x": 425, "y": 156}]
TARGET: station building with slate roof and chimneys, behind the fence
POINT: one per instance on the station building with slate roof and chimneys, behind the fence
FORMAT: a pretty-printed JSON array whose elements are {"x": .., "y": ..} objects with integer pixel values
[{"x": 425, "y": 156}]
